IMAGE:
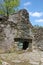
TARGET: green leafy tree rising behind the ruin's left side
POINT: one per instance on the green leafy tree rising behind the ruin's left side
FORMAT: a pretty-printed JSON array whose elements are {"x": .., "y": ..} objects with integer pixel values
[{"x": 8, "y": 7}]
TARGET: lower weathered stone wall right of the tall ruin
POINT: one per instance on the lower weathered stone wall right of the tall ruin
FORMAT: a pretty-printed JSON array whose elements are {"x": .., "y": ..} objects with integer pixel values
[{"x": 38, "y": 35}]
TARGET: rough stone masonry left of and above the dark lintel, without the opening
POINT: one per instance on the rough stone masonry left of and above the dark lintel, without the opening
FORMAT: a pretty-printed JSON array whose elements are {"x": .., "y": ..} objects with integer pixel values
[{"x": 17, "y": 26}]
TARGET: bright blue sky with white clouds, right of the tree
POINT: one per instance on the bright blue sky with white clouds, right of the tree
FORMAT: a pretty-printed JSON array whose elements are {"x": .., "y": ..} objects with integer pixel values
[{"x": 35, "y": 9}]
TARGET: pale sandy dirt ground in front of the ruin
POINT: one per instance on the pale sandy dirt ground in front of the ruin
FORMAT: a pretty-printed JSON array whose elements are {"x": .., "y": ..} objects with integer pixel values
[{"x": 26, "y": 58}]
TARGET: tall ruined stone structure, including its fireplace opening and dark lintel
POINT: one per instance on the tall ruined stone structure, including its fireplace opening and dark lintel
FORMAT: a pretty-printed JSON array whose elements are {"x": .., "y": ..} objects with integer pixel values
[{"x": 16, "y": 32}]
